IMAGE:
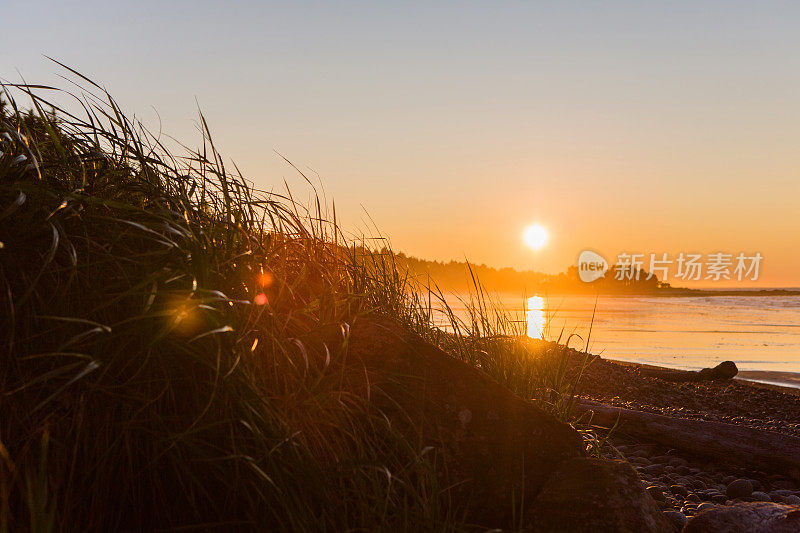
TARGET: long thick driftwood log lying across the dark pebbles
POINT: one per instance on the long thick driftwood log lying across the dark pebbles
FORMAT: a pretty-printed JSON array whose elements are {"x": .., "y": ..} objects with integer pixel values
[{"x": 730, "y": 443}]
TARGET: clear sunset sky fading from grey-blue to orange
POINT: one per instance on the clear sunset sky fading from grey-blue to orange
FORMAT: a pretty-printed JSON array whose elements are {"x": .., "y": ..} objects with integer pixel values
[{"x": 638, "y": 127}]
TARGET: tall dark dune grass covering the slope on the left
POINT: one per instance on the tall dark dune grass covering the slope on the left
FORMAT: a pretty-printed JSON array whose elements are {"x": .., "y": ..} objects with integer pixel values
[{"x": 163, "y": 363}]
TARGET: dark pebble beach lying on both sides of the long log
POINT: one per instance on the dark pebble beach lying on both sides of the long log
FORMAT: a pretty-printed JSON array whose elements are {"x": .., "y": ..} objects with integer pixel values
[{"x": 684, "y": 483}]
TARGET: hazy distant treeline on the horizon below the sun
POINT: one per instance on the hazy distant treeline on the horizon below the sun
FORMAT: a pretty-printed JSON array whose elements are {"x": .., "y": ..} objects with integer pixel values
[{"x": 456, "y": 276}]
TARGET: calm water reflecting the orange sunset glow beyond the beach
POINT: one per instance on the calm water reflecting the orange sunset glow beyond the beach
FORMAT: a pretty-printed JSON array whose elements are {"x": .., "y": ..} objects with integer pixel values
[{"x": 758, "y": 333}]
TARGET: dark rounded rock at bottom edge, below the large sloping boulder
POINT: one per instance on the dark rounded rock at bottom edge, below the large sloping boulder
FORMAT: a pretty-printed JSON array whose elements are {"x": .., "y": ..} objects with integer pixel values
[{"x": 590, "y": 495}]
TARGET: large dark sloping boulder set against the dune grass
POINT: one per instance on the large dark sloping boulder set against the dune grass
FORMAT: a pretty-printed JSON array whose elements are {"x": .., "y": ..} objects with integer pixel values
[{"x": 494, "y": 444}]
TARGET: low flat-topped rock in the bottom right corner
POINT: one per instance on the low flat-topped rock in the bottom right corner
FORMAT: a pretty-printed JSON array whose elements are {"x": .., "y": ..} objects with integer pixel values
[{"x": 753, "y": 517}]
